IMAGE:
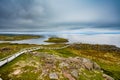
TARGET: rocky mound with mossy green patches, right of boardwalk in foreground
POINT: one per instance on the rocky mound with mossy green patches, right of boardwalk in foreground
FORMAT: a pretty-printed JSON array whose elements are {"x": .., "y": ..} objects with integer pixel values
[{"x": 45, "y": 66}]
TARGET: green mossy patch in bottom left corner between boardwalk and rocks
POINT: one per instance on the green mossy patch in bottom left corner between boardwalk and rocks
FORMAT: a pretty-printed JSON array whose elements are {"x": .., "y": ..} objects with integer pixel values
[{"x": 18, "y": 69}]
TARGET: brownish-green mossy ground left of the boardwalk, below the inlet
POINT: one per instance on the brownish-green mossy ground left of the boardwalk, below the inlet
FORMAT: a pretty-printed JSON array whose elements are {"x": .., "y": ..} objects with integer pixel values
[{"x": 7, "y": 49}]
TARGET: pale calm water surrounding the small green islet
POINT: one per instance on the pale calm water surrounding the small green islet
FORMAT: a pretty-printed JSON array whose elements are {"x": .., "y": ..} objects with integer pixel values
[{"x": 110, "y": 39}]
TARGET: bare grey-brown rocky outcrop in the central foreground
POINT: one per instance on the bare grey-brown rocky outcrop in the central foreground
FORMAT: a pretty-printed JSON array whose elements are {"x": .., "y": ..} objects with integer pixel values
[{"x": 70, "y": 68}]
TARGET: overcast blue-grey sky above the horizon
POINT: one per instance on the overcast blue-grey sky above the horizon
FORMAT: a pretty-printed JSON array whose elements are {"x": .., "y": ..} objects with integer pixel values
[{"x": 62, "y": 15}]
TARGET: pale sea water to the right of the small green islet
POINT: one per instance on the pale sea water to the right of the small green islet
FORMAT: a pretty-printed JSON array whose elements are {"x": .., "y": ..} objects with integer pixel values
[{"x": 111, "y": 39}]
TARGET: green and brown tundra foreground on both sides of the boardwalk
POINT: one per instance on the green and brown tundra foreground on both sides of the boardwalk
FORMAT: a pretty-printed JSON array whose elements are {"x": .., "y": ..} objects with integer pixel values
[{"x": 77, "y": 62}]
